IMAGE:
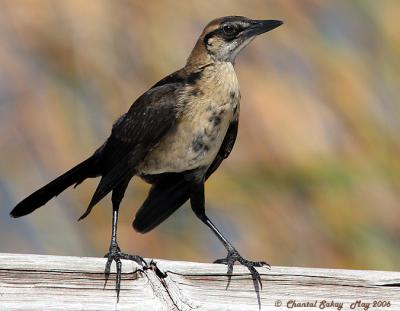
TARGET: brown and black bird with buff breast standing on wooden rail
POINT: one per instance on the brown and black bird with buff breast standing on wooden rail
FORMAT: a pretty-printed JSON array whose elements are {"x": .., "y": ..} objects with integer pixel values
[{"x": 174, "y": 137}]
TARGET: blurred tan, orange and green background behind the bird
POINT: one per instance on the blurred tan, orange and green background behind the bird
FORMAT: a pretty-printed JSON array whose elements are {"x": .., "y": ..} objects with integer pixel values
[{"x": 314, "y": 178}]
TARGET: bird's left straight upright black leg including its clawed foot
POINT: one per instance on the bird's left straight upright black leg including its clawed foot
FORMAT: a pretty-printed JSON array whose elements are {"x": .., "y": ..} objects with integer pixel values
[{"x": 114, "y": 253}]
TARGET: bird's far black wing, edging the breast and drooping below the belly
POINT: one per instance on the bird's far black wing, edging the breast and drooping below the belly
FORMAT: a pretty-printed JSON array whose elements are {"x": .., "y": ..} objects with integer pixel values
[{"x": 171, "y": 190}]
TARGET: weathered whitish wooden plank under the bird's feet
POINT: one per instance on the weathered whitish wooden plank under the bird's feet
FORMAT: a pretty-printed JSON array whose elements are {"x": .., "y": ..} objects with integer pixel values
[{"x": 35, "y": 282}]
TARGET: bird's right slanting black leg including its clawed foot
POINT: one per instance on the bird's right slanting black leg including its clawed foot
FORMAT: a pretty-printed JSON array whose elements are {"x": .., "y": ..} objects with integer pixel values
[{"x": 197, "y": 203}]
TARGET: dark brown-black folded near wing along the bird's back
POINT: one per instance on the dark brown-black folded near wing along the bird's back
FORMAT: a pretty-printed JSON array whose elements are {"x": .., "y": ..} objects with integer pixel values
[{"x": 134, "y": 135}]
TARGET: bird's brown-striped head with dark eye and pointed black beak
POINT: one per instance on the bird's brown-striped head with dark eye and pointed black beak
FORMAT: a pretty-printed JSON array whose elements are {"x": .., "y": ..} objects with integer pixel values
[{"x": 223, "y": 38}]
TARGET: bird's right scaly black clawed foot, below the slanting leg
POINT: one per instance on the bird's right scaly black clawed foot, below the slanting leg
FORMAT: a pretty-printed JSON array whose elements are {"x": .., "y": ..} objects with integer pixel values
[{"x": 233, "y": 256}]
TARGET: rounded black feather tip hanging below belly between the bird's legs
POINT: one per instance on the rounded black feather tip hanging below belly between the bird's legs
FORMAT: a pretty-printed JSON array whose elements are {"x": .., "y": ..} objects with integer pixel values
[{"x": 164, "y": 198}]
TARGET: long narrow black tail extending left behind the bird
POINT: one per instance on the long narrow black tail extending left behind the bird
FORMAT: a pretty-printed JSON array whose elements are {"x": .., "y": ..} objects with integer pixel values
[{"x": 76, "y": 175}]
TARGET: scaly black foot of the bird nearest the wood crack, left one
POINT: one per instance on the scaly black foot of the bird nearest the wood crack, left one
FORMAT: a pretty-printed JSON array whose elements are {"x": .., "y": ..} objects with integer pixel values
[{"x": 116, "y": 255}]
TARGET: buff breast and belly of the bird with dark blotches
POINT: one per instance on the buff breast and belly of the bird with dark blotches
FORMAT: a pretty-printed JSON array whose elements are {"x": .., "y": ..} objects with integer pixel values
[{"x": 208, "y": 107}]
